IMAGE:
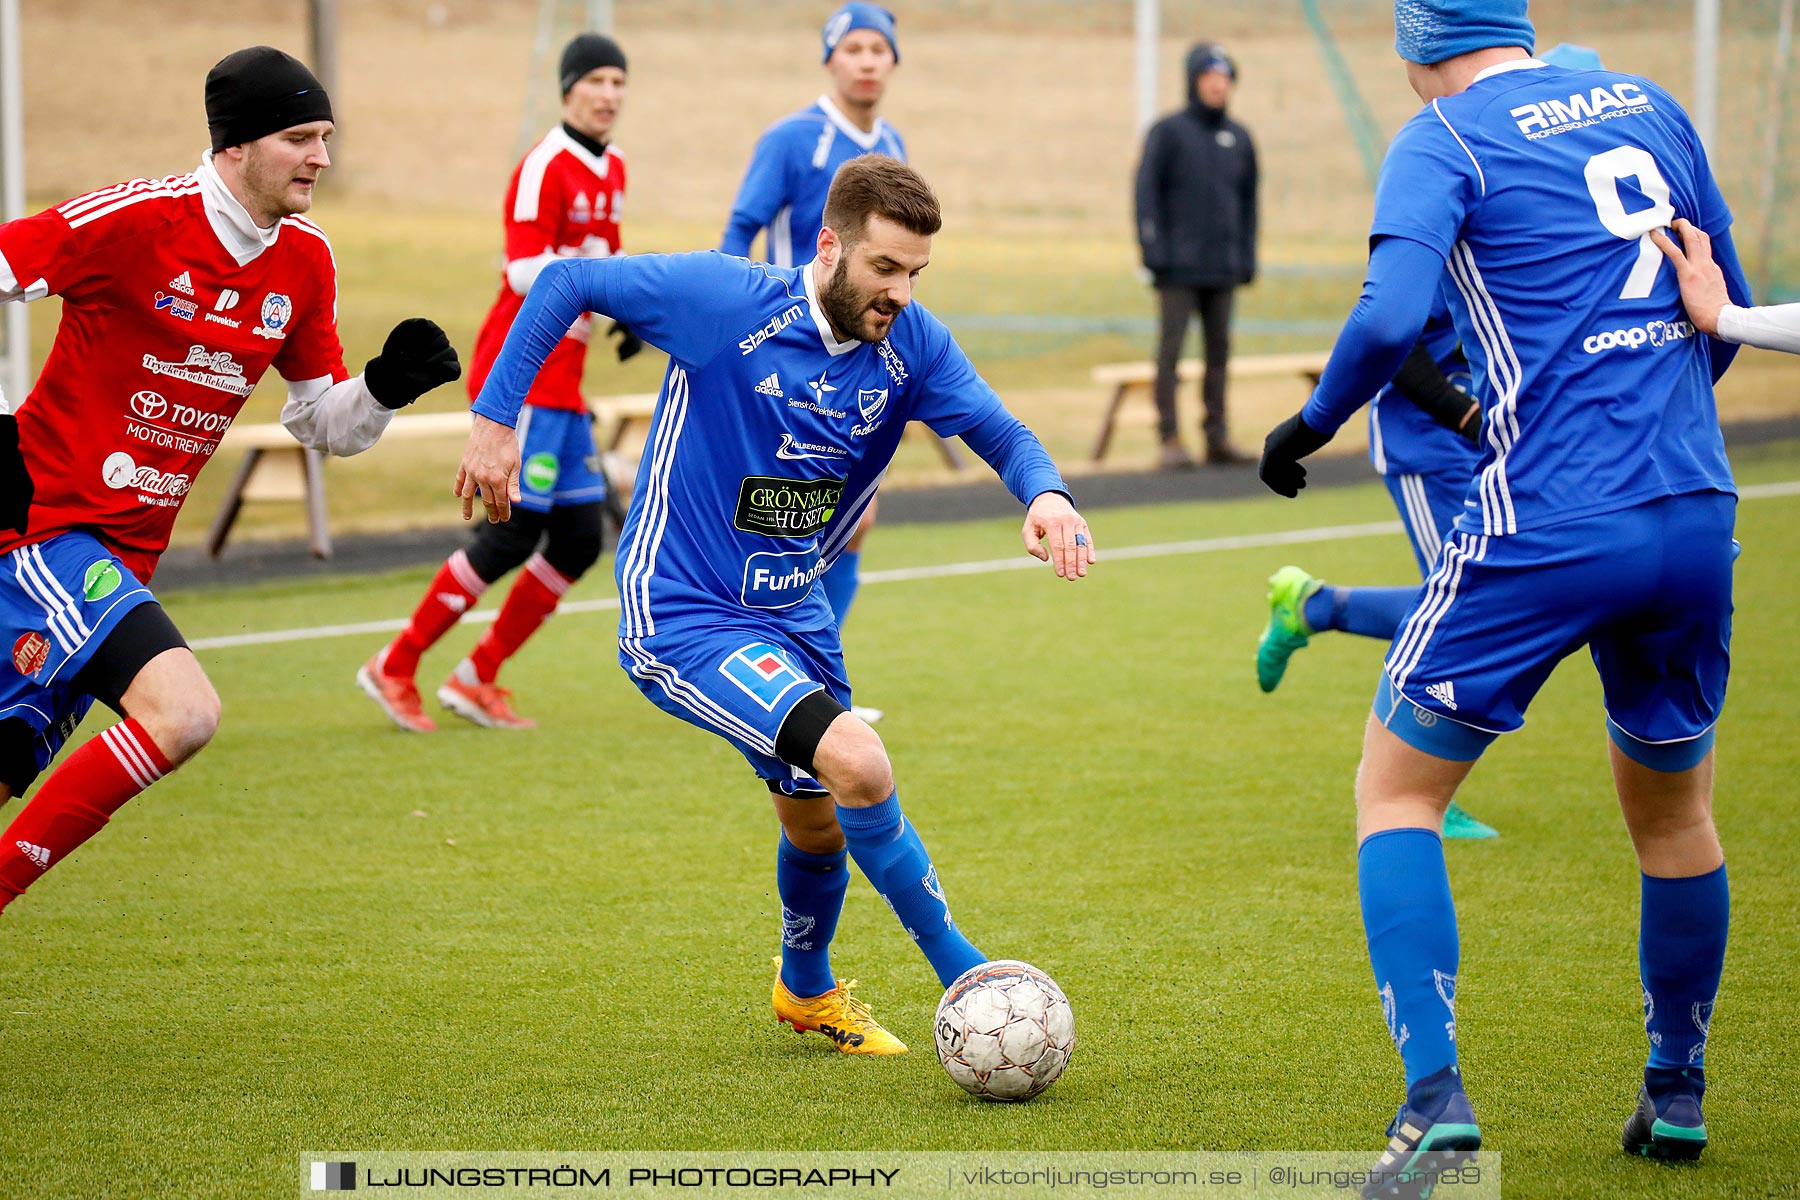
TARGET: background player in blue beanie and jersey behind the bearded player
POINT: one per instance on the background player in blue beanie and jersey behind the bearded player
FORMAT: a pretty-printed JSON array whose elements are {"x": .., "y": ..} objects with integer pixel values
[{"x": 789, "y": 177}]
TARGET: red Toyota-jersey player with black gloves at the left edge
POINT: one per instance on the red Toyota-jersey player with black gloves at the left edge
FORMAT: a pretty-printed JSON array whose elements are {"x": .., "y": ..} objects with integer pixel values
[{"x": 177, "y": 296}]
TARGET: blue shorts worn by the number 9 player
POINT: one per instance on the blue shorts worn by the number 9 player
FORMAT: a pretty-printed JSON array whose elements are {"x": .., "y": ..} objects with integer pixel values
[{"x": 1646, "y": 589}]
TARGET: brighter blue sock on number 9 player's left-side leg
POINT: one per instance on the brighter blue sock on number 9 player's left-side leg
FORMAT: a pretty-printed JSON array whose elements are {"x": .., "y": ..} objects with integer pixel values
[{"x": 1412, "y": 945}]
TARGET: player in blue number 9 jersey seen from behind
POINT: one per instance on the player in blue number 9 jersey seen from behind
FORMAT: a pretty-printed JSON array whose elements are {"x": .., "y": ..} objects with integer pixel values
[{"x": 1601, "y": 515}]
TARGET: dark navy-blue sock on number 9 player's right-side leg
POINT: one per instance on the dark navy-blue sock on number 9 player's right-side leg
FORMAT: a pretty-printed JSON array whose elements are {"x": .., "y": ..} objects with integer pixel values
[{"x": 1680, "y": 960}]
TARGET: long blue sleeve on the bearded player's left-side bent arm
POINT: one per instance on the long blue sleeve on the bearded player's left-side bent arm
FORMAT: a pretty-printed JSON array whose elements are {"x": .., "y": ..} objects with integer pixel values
[{"x": 685, "y": 305}]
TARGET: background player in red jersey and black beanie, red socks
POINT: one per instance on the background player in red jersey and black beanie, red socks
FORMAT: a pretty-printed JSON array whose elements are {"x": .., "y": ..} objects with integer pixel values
[{"x": 564, "y": 202}]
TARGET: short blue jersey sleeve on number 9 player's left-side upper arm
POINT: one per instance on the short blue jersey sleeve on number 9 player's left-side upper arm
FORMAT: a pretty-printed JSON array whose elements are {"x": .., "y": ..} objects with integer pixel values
[{"x": 1430, "y": 181}]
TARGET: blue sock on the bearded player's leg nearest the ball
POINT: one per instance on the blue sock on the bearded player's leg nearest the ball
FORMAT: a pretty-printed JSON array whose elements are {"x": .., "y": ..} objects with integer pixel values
[{"x": 888, "y": 850}]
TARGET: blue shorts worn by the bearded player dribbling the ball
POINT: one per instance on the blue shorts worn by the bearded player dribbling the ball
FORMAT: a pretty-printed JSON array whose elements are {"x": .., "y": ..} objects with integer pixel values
[{"x": 741, "y": 679}]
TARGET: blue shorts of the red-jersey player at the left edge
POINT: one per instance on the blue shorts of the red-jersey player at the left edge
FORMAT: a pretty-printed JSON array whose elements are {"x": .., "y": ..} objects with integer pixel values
[{"x": 58, "y": 602}]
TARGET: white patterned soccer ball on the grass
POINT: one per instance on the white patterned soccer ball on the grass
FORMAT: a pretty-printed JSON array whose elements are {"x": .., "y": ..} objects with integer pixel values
[{"x": 1005, "y": 1030}]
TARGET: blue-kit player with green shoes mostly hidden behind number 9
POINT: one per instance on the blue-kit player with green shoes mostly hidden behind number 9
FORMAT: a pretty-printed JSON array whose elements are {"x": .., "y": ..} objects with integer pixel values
[{"x": 1423, "y": 442}]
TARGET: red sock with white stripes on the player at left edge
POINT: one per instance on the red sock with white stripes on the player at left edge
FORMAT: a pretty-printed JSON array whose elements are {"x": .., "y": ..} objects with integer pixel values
[{"x": 76, "y": 801}]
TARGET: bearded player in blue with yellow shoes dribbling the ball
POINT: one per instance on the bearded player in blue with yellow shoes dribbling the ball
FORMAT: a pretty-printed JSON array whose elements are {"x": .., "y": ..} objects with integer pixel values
[{"x": 784, "y": 402}]
